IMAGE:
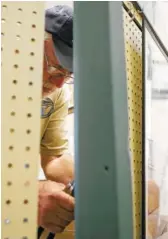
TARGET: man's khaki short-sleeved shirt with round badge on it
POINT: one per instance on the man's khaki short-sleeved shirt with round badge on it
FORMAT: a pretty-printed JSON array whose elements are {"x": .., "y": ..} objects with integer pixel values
[{"x": 54, "y": 135}]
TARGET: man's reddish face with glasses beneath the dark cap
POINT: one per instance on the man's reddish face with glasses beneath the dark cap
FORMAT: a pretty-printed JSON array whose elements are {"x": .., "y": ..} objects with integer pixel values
[{"x": 54, "y": 75}]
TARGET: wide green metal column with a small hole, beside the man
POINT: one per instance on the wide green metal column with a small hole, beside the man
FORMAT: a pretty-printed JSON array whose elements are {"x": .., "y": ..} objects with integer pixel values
[{"x": 103, "y": 174}]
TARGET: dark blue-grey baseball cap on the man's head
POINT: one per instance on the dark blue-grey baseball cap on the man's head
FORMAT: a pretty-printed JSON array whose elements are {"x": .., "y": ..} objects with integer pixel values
[{"x": 59, "y": 23}]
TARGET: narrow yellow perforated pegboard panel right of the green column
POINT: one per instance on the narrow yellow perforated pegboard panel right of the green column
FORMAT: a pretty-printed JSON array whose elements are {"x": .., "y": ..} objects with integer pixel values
[{"x": 133, "y": 50}]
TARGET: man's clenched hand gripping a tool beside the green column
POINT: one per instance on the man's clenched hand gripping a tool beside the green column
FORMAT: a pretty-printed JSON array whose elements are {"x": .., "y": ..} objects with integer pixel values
[{"x": 55, "y": 207}]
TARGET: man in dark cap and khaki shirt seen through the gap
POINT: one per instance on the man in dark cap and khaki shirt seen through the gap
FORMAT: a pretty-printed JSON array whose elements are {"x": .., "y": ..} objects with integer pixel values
[{"x": 56, "y": 208}]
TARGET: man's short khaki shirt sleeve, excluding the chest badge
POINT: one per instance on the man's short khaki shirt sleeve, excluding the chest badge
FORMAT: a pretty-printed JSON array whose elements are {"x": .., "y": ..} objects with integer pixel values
[{"x": 55, "y": 138}]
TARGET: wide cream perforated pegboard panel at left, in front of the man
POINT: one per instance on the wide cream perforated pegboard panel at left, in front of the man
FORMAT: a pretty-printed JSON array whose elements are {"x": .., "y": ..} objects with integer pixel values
[{"x": 22, "y": 53}]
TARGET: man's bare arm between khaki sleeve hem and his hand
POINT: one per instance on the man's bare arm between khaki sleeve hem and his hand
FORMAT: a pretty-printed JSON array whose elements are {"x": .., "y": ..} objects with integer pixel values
[{"x": 58, "y": 169}]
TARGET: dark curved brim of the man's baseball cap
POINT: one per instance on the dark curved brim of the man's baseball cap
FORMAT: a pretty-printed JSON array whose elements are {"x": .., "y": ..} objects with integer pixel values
[{"x": 64, "y": 54}]
